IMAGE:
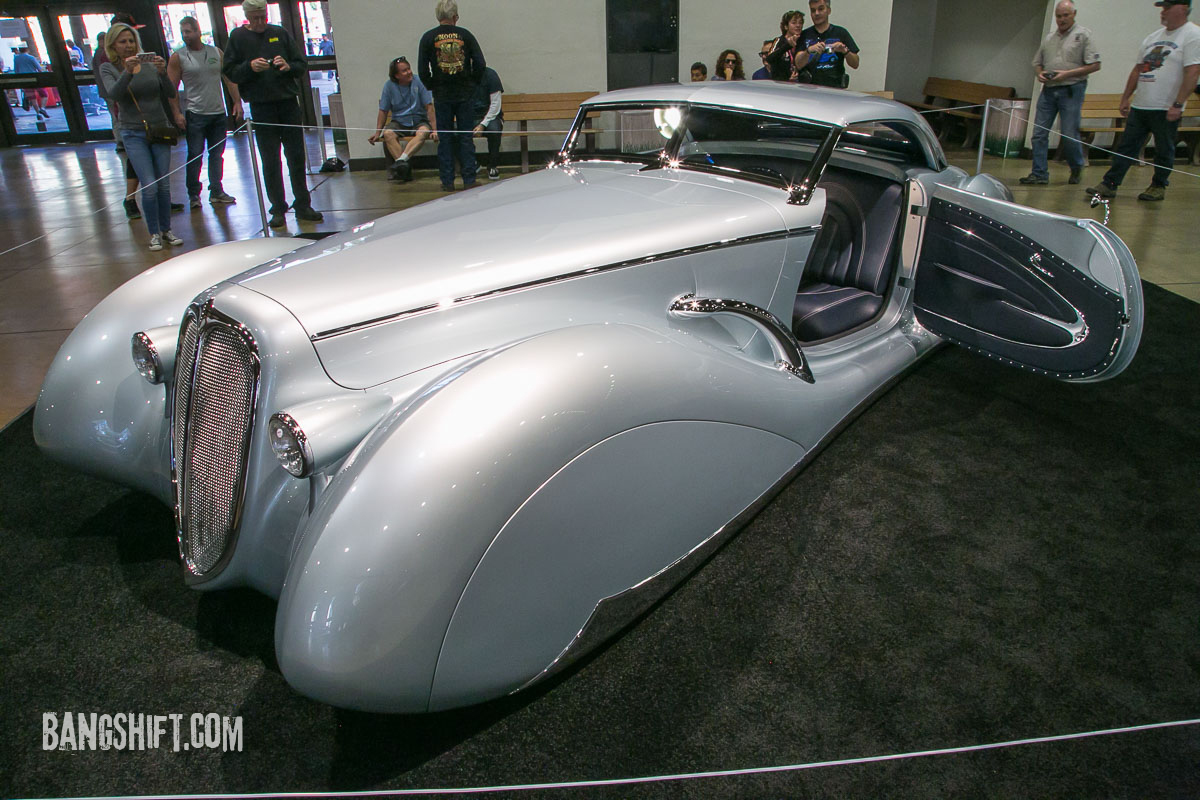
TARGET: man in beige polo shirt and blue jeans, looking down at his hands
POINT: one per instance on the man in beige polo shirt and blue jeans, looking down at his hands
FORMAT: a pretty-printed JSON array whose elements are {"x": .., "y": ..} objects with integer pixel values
[{"x": 1064, "y": 62}]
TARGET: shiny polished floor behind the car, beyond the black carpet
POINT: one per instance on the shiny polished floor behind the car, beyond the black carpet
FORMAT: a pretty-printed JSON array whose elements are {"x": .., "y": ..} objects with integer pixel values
[{"x": 65, "y": 242}]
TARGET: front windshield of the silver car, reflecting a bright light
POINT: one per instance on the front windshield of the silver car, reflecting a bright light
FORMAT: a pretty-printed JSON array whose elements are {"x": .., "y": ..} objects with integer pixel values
[{"x": 758, "y": 147}]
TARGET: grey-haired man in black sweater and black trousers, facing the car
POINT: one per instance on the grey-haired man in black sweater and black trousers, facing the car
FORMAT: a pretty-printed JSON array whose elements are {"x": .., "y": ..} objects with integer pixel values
[{"x": 267, "y": 65}]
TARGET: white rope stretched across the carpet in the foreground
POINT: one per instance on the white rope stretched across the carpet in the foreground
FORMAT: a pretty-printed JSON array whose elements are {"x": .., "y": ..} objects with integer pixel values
[{"x": 681, "y": 777}]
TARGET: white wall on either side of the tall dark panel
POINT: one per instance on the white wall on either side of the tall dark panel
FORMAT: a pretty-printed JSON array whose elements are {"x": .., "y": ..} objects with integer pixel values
[{"x": 545, "y": 46}]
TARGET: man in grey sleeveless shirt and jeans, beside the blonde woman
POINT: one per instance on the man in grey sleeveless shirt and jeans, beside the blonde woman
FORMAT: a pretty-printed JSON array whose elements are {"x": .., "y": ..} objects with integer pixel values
[{"x": 199, "y": 65}]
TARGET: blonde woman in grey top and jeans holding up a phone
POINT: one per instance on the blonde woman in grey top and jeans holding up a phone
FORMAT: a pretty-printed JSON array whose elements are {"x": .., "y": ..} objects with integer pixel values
[{"x": 140, "y": 91}]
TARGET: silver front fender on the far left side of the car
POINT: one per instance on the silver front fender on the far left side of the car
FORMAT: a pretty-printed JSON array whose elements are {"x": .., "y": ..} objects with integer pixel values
[{"x": 95, "y": 412}]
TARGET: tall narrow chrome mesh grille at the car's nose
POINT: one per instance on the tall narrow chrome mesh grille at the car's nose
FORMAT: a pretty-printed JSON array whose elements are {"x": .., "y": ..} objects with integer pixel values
[{"x": 217, "y": 383}]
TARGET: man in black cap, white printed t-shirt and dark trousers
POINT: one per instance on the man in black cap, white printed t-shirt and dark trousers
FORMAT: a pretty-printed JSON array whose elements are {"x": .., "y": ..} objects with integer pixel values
[{"x": 1159, "y": 87}]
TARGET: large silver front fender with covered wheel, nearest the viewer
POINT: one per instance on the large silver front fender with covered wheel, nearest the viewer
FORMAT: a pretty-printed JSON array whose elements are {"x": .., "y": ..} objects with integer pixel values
[{"x": 513, "y": 443}]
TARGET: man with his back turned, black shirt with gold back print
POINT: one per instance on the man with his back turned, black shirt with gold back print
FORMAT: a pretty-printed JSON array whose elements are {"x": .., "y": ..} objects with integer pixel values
[{"x": 452, "y": 65}]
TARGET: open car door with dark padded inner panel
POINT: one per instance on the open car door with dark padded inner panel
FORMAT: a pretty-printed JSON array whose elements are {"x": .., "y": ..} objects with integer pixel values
[{"x": 1053, "y": 294}]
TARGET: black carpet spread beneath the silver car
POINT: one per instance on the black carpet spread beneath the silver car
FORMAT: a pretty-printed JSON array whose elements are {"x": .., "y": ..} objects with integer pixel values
[{"x": 985, "y": 556}]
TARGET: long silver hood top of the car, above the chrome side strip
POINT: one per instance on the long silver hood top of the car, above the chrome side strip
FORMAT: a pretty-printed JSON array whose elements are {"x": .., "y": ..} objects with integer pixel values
[{"x": 523, "y": 231}]
